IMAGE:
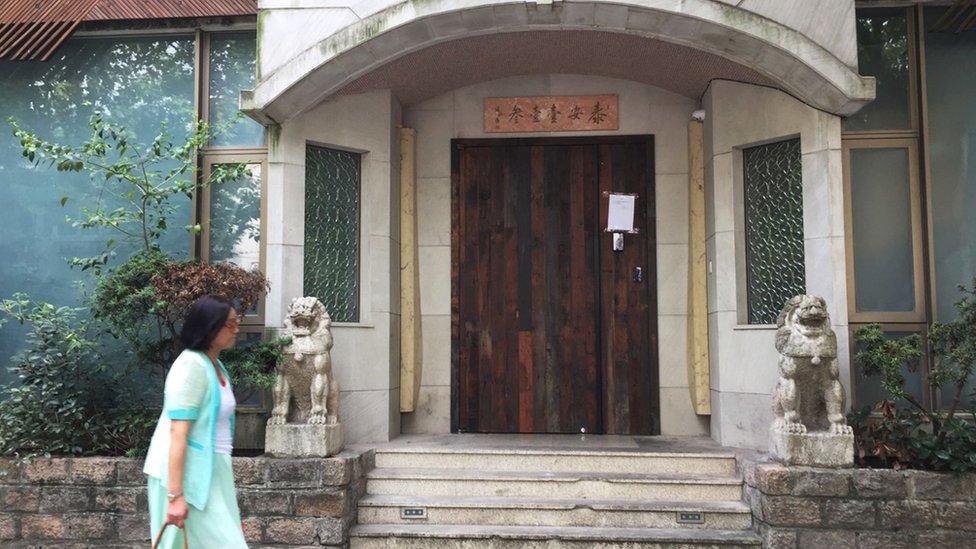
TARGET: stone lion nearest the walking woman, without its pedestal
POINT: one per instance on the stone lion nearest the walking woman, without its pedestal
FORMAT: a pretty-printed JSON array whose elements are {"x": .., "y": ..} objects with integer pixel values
[{"x": 306, "y": 391}]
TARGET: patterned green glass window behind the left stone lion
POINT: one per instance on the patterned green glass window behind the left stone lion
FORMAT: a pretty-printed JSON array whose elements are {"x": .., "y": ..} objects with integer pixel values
[{"x": 332, "y": 179}]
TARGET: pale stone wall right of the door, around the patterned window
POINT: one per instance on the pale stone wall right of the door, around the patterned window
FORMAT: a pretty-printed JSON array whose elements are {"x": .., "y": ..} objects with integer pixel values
[{"x": 743, "y": 359}]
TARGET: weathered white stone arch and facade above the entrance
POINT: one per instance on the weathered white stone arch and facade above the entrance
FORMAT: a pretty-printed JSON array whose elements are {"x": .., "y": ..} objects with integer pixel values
[{"x": 310, "y": 50}]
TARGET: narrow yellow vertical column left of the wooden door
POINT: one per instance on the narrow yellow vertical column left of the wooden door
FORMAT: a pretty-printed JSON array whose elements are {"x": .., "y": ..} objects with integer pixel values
[{"x": 410, "y": 335}]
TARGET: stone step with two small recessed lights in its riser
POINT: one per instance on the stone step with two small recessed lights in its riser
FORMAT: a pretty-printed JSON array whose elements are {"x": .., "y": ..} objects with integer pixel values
[{"x": 721, "y": 515}]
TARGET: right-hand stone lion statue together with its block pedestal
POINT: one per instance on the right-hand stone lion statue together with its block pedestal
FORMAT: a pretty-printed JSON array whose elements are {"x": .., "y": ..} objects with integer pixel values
[{"x": 808, "y": 403}]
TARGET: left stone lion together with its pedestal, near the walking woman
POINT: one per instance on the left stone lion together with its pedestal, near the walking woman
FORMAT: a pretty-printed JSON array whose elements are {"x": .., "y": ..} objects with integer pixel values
[{"x": 304, "y": 421}]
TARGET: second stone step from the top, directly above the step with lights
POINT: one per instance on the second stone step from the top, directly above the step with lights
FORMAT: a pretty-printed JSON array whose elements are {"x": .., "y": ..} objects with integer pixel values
[{"x": 560, "y": 485}]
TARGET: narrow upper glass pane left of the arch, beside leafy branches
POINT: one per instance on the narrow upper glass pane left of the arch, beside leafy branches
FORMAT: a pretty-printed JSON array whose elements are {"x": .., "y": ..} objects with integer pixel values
[{"x": 232, "y": 58}]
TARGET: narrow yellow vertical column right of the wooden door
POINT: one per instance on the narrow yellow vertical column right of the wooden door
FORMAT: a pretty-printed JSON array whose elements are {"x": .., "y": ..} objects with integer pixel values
[{"x": 698, "y": 374}]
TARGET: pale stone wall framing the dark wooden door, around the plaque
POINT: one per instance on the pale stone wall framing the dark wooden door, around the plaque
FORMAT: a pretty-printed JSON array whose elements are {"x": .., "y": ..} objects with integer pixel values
[{"x": 459, "y": 114}]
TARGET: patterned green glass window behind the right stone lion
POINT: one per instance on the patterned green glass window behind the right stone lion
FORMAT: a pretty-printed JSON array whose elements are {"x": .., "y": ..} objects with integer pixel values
[{"x": 773, "y": 228}]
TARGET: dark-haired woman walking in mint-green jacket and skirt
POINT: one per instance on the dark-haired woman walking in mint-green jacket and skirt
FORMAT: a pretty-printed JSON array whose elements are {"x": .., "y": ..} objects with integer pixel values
[{"x": 191, "y": 483}]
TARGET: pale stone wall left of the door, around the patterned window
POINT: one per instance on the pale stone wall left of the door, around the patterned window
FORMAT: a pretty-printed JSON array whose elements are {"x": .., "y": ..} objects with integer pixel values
[{"x": 365, "y": 352}]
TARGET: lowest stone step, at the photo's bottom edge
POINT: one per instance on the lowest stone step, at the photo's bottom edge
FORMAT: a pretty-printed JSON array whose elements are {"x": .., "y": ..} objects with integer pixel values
[{"x": 399, "y": 536}]
